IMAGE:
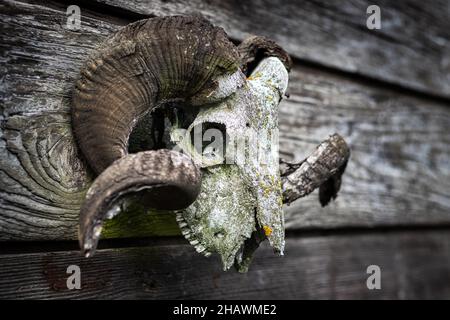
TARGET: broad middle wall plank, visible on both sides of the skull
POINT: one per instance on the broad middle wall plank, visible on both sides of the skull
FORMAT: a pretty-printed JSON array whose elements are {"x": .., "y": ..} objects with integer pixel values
[{"x": 398, "y": 173}]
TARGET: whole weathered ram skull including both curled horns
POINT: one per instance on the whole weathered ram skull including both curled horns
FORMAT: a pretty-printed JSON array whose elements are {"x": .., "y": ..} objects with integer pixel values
[{"x": 227, "y": 195}]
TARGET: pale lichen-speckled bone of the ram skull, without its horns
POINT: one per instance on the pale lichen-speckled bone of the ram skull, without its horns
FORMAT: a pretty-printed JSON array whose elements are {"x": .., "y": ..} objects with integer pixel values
[{"x": 241, "y": 185}]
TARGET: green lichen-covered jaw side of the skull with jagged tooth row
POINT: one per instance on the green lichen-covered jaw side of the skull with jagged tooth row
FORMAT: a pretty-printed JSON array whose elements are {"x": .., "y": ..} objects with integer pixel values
[{"x": 222, "y": 217}]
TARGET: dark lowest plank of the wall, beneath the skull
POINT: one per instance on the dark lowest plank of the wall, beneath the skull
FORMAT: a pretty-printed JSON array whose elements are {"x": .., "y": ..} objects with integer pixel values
[{"x": 414, "y": 265}]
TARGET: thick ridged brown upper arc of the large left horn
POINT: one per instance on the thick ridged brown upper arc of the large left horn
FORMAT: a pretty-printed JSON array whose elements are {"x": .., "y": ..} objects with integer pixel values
[{"x": 142, "y": 65}]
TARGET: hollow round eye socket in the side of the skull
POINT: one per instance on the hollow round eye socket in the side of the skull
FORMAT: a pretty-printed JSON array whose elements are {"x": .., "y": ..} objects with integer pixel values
[{"x": 209, "y": 139}]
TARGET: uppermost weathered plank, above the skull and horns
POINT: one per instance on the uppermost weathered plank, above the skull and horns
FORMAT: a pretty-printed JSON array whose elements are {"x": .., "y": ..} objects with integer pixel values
[{"x": 411, "y": 49}]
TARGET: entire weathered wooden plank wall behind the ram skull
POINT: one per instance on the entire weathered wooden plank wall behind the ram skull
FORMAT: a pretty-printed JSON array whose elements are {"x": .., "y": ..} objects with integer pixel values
[{"x": 386, "y": 91}]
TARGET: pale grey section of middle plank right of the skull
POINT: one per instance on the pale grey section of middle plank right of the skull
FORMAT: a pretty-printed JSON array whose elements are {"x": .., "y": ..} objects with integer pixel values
[{"x": 399, "y": 168}]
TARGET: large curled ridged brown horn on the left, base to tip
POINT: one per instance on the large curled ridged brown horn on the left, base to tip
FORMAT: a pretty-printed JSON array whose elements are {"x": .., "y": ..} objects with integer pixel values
[{"x": 145, "y": 65}]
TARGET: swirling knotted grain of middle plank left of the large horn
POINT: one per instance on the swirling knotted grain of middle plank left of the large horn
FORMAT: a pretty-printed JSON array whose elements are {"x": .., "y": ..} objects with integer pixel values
[{"x": 40, "y": 199}]
